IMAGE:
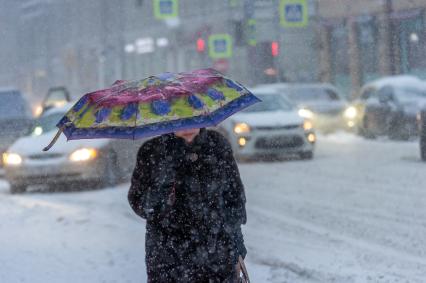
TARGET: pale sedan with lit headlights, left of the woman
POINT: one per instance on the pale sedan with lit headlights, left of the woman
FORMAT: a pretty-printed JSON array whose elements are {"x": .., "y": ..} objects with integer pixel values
[{"x": 103, "y": 161}]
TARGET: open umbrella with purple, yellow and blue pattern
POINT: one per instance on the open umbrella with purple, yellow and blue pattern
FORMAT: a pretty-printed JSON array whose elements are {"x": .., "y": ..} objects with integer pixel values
[{"x": 156, "y": 105}]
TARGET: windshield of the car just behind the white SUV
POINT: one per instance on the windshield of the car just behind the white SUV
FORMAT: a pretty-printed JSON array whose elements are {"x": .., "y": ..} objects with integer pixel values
[{"x": 301, "y": 94}]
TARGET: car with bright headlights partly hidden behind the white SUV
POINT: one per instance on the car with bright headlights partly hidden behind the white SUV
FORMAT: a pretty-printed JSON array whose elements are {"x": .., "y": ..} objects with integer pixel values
[{"x": 321, "y": 103}]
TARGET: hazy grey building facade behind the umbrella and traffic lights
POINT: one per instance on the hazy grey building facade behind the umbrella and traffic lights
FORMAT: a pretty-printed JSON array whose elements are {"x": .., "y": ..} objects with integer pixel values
[{"x": 86, "y": 45}]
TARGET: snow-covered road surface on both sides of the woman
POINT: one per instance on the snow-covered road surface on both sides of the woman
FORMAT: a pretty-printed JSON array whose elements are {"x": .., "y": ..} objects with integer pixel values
[{"x": 356, "y": 213}]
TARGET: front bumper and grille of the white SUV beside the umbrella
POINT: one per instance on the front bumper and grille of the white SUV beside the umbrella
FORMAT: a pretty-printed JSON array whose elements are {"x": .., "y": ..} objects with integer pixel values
[{"x": 272, "y": 143}]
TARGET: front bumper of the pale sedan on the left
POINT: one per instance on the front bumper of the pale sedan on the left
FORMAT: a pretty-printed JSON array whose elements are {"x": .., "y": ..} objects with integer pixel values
[{"x": 38, "y": 173}]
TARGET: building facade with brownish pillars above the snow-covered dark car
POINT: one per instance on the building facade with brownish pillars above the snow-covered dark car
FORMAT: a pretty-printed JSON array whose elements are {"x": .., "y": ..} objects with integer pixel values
[{"x": 363, "y": 40}]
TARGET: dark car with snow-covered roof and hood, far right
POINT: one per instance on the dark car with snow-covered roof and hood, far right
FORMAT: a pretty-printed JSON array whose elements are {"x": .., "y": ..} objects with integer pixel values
[{"x": 389, "y": 106}]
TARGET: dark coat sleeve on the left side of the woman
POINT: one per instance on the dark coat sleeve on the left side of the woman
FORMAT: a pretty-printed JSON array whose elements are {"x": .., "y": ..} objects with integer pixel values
[{"x": 152, "y": 182}]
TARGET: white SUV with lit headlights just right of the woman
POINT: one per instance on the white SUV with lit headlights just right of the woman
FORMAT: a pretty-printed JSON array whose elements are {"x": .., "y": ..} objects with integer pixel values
[{"x": 271, "y": 128}]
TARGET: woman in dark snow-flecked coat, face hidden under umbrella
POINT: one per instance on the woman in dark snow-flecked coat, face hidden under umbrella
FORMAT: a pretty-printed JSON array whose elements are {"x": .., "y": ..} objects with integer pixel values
[{"x": 188, "y": 188}]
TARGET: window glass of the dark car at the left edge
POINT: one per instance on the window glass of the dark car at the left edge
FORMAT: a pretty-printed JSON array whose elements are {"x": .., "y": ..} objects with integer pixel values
[{"x": 12, "y": 105}]
